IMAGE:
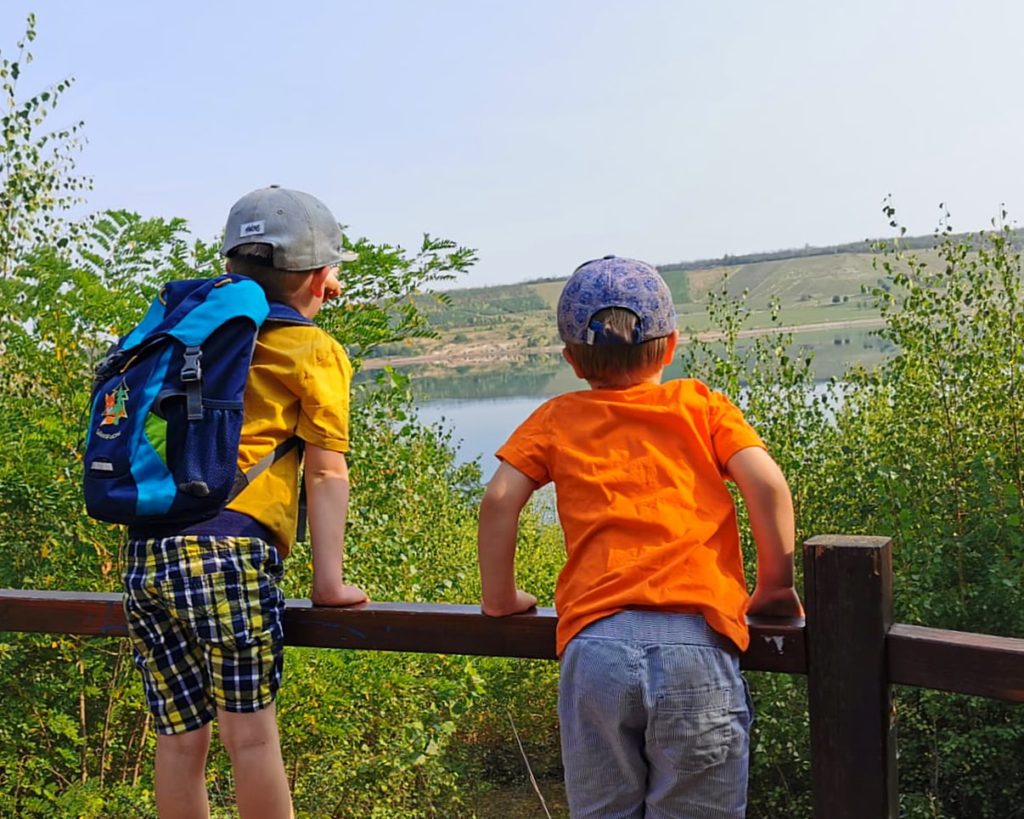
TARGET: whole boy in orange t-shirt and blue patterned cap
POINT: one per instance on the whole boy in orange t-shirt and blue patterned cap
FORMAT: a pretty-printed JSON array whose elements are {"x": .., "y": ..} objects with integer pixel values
[{"x": 655, "y": 713}]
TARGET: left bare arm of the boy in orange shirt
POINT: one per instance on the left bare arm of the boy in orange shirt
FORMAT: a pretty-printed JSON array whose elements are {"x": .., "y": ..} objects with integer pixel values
[{"x": 507, "y": 494}]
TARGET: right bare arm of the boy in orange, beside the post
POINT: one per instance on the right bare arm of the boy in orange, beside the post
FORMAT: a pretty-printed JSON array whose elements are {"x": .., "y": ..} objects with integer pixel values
[{"x": 770, "y": 505}]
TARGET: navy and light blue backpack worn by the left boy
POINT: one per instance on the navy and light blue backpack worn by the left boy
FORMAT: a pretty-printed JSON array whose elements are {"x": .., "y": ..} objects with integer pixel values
[{"x": 166, "y": 409}]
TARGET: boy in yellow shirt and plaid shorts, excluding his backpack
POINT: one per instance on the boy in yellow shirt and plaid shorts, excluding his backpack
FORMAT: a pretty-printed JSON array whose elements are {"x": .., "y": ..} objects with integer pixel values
[{"x": 202, "y": 601}]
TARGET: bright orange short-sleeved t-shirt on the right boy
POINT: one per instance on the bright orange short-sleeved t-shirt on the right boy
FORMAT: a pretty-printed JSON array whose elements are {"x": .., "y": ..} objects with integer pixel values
[{"x": 639, "y": 476}]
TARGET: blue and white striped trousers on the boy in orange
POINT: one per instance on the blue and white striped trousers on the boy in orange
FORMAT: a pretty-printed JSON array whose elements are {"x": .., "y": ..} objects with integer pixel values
[{"x": 656, "y": 720}]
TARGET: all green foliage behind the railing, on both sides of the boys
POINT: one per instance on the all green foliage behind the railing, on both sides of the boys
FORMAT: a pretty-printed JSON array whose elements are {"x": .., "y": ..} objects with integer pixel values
[{"x": 928, "y": 450}]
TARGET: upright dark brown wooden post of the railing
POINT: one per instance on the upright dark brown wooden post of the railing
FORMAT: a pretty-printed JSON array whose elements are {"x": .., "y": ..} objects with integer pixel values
[{"x": 848, "y": 596}]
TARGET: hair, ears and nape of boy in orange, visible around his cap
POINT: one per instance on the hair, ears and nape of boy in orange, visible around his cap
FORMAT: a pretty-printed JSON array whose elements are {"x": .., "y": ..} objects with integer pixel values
[{"x": 619, "y": 364}]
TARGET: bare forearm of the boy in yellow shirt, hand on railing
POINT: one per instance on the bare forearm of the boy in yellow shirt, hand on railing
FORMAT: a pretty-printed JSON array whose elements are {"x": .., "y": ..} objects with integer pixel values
[{"x": 327, "y": 493}]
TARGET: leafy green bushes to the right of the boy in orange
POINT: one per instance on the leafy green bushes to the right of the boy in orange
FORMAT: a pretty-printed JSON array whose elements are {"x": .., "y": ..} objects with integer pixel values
[{"x": 927, "y": 450}]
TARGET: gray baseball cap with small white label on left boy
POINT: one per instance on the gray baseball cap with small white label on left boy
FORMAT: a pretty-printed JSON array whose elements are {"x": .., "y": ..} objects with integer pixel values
[{"x": 303, "y": 232}]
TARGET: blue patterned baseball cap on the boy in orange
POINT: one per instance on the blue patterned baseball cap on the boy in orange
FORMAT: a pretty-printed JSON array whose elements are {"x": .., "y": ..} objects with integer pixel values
[{"x": 613, "y": 282}]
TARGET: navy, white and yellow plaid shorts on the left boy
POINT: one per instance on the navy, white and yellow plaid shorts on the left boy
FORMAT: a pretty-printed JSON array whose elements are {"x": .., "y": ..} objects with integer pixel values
[{"x": 206, "y": 618}]
